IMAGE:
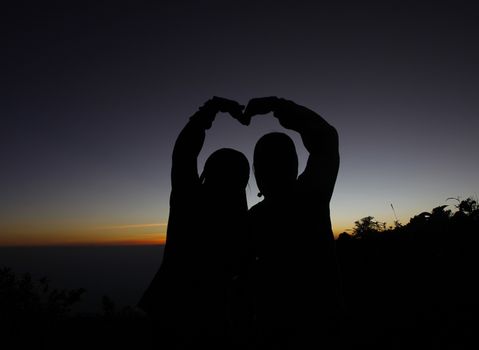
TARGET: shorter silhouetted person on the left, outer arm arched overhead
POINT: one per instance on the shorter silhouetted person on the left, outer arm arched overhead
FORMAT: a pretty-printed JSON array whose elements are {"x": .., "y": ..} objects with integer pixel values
[{"x": 193, "y": 298}]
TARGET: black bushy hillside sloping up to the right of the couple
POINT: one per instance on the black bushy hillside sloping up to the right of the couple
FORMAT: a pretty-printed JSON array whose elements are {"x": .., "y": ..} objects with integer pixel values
[{"x": 415, "y": 283}]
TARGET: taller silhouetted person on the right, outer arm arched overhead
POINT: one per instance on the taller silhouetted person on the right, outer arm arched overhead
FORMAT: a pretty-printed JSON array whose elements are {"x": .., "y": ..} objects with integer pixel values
[{"x": 296, "y": 284}]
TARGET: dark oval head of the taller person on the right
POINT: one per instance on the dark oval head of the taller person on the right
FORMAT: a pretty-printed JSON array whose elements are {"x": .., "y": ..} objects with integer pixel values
[{"x": 275, "y": 163}]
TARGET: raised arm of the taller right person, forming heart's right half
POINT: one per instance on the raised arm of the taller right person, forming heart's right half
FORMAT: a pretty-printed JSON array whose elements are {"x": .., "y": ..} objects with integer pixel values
[{"x": 319, "y": 138}]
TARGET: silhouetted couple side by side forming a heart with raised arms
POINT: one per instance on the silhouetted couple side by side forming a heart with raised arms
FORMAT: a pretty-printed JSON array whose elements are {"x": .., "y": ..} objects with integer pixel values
[{"x": 258, "y": 279}]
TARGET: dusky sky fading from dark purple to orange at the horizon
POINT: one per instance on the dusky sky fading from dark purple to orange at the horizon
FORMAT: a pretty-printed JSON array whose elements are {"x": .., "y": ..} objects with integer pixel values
[{"x": 93, "y": 98}]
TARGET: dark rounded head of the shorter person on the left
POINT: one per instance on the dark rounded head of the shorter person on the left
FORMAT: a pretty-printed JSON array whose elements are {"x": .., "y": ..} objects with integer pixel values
[{"x": 226, "y": 170}]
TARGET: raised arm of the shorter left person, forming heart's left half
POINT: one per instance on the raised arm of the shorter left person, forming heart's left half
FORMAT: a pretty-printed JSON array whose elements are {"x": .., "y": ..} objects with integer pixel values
[{"x": 184, "y": 171}]
